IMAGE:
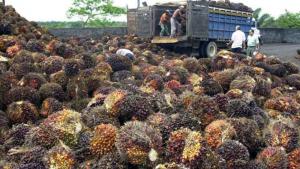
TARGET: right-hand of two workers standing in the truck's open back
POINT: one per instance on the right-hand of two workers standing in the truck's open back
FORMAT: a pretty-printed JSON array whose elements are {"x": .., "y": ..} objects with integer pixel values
[{"x": 175, "y": 21}]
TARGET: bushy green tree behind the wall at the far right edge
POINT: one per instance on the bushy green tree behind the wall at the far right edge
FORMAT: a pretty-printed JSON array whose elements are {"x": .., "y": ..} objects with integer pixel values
[{"x": 289, "y": 20}]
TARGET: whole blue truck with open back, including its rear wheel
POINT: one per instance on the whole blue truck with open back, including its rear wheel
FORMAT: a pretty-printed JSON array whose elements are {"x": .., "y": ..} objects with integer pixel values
[{"x": 208, "y": 28}]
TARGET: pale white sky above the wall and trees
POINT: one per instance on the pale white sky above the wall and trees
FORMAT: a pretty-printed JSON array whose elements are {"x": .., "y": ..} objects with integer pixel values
[{"x": 55, "y": 10}]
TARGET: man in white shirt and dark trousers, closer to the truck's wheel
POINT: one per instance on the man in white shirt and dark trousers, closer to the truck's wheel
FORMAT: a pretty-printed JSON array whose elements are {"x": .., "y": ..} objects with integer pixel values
[{"x": 238, "y": 39}]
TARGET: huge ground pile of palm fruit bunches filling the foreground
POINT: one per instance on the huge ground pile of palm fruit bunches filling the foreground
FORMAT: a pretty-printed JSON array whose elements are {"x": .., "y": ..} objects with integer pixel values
[{"x": 69, "y": 104}]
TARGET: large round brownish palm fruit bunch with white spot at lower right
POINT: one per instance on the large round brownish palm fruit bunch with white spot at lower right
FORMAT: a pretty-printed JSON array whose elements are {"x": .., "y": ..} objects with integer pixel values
[{"x": 139, "y": 143}]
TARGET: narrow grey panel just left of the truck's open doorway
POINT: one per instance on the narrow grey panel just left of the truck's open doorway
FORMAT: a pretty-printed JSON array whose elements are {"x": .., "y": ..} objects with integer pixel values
[{"x": 144, "y": 20}]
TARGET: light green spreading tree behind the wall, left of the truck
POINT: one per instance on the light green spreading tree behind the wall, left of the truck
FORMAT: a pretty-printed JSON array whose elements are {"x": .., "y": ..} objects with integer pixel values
[{"x": 90, "y": 10}]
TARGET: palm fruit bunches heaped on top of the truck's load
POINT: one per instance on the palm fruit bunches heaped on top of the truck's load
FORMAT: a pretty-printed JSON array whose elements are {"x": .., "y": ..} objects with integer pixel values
[{"x": 230, "y": 5}]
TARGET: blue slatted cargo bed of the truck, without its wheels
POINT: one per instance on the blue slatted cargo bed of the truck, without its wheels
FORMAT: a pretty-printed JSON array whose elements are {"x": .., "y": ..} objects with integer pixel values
[{"x": 204, "y": 22}]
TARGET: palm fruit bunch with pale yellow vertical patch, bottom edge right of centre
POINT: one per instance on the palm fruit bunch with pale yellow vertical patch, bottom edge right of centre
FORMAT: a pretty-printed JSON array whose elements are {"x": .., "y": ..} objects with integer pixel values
[{"x": 189, "y": 148}]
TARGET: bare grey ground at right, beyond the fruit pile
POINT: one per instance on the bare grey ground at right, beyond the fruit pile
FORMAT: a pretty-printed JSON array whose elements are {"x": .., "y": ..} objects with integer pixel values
[{"x": 286, "y": 52}]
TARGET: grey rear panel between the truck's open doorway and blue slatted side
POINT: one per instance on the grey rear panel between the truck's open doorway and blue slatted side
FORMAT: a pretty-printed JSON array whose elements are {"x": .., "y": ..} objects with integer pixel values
[{"x": 197, "y": 26}]
